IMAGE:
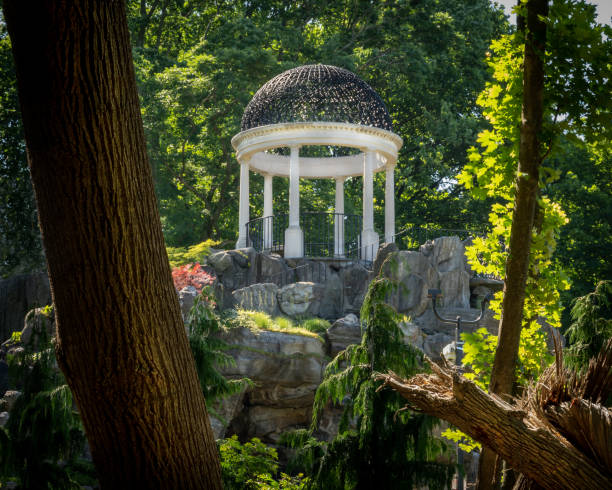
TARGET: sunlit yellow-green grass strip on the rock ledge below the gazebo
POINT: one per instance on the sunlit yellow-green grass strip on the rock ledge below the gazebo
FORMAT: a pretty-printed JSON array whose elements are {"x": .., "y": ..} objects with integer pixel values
[{"x": 258, "y": 320}]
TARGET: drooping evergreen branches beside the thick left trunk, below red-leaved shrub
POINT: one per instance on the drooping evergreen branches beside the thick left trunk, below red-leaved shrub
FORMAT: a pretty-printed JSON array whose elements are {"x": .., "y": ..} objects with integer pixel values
[{"x": 209, "y": 350}]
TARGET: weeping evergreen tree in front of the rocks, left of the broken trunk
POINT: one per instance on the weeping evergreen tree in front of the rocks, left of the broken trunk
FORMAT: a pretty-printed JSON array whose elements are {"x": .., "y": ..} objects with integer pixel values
[{"x": 379, "y": 445}]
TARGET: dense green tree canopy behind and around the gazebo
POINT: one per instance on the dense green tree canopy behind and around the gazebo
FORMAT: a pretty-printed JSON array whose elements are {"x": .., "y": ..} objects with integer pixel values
[{"x": 198, "y": 65}]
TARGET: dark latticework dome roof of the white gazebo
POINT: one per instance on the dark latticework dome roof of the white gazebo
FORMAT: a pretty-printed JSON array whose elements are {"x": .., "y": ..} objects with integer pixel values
[{"x": 316, "y": 93}]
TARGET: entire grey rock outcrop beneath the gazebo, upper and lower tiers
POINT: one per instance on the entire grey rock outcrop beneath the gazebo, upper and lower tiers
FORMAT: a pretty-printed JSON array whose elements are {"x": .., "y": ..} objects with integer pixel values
[{"x": 286, "y": 369}]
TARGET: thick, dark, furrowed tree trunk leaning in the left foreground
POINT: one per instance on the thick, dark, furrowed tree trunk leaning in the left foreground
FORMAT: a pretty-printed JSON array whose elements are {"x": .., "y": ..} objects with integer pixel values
[{"x": 121, "y": 341}]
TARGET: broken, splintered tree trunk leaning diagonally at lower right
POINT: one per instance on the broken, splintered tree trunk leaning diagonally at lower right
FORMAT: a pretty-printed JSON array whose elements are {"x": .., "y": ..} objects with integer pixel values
[{"x": 527, "y": 443}]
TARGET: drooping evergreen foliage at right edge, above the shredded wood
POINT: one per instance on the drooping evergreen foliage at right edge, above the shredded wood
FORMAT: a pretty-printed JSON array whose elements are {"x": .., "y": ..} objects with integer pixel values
[{"x": 591, "y": 327}]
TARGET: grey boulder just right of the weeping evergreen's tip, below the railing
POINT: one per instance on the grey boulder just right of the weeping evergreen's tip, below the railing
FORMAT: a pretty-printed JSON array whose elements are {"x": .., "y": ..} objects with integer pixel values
[{"x": 414, "y": 274}]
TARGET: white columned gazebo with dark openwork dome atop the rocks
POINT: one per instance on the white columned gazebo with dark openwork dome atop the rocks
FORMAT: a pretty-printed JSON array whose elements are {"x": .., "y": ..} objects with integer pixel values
[{"x": 315, "y": 105}]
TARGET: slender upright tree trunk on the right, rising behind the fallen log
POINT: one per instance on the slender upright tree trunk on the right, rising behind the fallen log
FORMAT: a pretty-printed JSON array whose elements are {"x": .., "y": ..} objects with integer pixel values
[{"x": 525, "y": 202}]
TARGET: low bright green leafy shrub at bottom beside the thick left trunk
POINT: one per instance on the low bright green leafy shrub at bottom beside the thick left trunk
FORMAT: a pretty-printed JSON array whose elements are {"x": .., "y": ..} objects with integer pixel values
[{"x": 253, "y": 465}]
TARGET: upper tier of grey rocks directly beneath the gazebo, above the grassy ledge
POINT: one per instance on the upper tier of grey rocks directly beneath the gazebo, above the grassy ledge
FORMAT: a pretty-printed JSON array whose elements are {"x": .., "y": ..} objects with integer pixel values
[{"x": 332, "y": 289}]
